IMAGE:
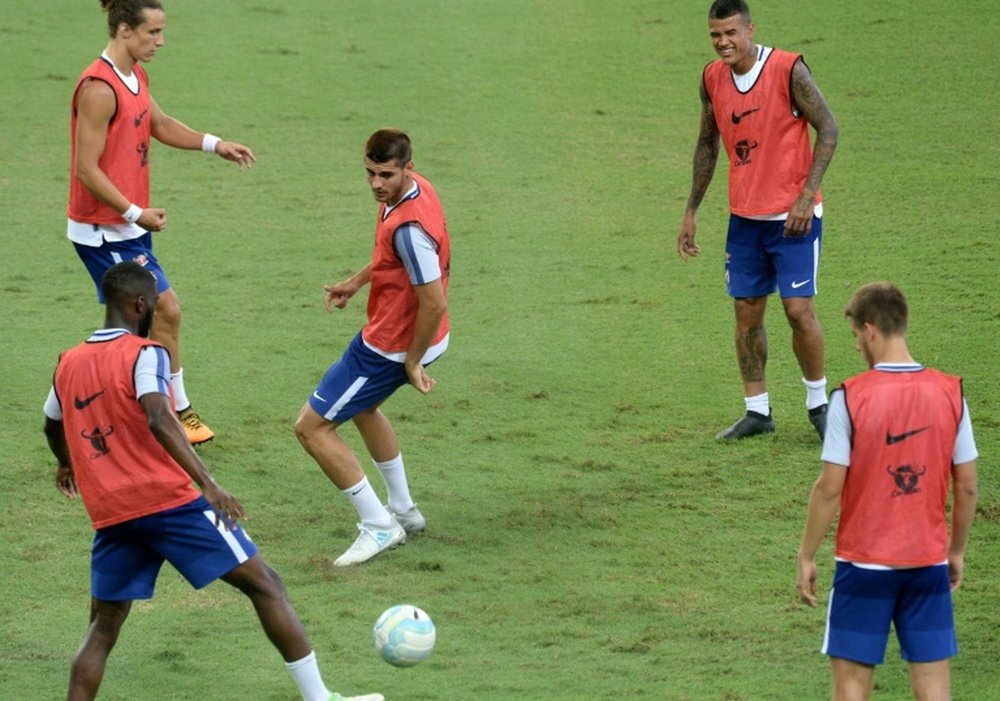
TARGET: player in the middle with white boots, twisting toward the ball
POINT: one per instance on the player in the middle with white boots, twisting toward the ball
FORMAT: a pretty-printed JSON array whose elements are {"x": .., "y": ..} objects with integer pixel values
[{"x": 407, "y": 329}]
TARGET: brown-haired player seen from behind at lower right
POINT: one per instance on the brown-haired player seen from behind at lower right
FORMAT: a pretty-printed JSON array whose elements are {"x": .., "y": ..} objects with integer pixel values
[{"x": 897, "y": 435}]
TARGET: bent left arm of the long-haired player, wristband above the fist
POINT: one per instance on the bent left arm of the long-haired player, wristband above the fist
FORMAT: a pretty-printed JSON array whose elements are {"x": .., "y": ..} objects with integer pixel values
[{"x": 95, "y": 106}]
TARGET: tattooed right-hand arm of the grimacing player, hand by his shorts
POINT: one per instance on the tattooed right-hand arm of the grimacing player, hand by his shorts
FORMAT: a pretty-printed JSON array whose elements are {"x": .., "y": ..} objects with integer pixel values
[{"x": 810, "y": 102}]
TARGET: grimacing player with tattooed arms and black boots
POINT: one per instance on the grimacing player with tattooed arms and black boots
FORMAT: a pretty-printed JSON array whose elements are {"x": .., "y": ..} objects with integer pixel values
[{"x": 760, "y": 101}]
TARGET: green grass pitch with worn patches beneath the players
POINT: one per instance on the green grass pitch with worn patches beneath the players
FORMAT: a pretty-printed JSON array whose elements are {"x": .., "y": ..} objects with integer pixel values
[{"x": 587, "y": 537}]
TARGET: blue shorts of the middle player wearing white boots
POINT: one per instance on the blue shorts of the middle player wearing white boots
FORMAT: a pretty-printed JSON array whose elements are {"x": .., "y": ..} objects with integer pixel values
[{"x": 360, "y": 380}]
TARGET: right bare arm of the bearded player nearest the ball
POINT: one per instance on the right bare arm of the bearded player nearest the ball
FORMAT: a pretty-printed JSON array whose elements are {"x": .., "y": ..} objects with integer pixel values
[{"x": 170, "y": 434}]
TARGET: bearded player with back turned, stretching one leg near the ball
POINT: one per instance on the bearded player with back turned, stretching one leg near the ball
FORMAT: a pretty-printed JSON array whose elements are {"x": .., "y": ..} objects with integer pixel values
[{"x": 110, "y": 423}]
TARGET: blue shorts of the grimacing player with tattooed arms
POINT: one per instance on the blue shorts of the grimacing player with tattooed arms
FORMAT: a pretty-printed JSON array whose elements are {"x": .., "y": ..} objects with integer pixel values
[{"x": 761, "y": 259}]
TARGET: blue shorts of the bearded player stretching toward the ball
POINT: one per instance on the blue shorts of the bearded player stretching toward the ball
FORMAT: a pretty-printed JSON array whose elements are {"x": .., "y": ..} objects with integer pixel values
[{"x": 127, "y": 557}]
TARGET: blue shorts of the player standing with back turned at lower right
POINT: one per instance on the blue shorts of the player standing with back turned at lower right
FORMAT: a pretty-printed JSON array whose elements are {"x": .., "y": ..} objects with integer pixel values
[{"x": 864, "y": 602}]
